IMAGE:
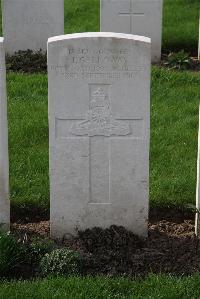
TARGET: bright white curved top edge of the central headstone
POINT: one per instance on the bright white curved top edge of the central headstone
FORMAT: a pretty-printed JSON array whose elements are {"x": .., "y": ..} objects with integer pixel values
[{"x": 74, "y": 36}]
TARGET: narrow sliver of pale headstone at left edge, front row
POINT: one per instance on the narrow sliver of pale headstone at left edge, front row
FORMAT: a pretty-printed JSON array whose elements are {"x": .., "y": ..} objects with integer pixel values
[{"x": 4, "y": 188}]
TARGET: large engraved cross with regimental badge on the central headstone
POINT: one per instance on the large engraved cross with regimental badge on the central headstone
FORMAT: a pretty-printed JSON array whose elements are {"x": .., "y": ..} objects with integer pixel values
[{"x": 98, "y": 125}]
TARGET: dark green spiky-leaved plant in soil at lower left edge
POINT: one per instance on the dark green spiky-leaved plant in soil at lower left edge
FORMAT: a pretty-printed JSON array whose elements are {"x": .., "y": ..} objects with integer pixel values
[{"x": 11, "y": 254}]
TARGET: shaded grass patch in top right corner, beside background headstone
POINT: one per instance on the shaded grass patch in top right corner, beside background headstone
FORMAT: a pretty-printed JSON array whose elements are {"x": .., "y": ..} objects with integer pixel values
[{"x": 181, "y": 25}]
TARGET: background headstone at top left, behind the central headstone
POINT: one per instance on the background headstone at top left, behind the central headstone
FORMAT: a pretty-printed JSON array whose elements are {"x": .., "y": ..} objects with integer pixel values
[{"x": 27, "y": 24}]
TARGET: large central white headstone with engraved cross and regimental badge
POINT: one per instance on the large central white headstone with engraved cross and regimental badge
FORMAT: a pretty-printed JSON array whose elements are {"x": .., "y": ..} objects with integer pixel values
[{"x": 99, "y": 115}]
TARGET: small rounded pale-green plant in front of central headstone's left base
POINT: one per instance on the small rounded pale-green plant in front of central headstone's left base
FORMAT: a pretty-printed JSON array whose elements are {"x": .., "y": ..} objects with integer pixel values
[{"x": 61, "y": 262}]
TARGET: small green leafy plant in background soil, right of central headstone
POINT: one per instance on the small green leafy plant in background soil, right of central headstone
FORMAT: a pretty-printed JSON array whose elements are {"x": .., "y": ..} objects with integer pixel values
[{"x": 180, "y": 60}]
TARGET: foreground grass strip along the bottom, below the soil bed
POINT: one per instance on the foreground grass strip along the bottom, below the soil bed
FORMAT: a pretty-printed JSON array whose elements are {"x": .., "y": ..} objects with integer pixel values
[{"x": 152, "y": 287}]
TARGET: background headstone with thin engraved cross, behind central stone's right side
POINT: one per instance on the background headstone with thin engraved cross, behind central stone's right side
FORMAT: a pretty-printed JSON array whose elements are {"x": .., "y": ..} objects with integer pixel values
[{"x": 141, "y": 17}]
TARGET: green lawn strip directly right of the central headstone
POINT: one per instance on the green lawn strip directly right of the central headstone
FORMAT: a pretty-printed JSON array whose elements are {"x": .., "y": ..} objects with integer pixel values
[{"x": 174, "y": 126}]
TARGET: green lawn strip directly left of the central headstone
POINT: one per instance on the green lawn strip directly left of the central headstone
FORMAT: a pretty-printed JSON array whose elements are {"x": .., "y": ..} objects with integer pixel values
[{"x": 28, "y": 139}]
